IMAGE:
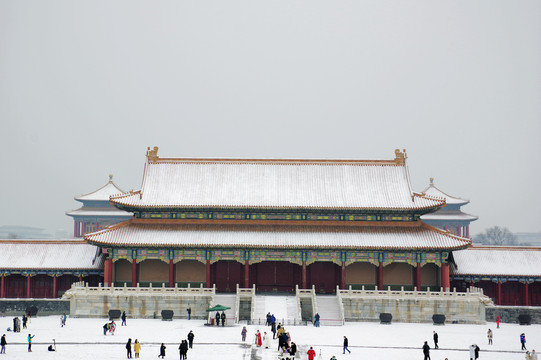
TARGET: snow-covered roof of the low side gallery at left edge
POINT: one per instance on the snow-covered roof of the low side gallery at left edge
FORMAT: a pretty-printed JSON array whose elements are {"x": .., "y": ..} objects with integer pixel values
[{"x": 49, "y": 254}]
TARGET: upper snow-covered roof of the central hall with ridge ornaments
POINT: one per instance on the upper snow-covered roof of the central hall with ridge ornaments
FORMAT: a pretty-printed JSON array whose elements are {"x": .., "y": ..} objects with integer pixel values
[{"x": 277, "y": 184}]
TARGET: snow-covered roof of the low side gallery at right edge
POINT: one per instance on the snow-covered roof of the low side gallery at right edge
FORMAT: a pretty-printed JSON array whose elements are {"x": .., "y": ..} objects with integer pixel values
[{"x": 498, "y": 260}]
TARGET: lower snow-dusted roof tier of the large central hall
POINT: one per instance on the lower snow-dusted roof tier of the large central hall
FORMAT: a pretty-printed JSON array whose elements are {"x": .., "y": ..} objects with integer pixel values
[{"x": 139, "y": 233}]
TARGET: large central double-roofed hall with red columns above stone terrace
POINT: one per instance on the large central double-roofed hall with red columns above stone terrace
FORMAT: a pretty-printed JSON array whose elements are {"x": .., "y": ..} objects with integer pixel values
[{"x": 277, "y": 223}]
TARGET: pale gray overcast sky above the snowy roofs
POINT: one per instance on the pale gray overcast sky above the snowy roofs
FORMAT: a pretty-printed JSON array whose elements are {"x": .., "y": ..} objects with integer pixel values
[{"x": 86, "y": 86}]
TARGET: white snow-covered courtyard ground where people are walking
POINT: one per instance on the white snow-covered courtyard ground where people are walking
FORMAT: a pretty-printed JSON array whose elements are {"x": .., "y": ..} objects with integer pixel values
[{"x": 84, "y": 339}]
